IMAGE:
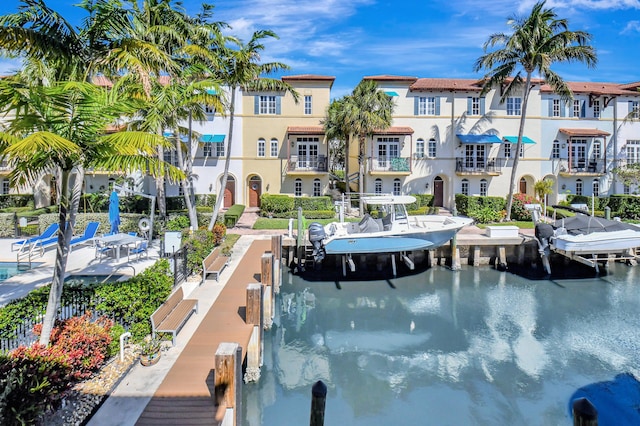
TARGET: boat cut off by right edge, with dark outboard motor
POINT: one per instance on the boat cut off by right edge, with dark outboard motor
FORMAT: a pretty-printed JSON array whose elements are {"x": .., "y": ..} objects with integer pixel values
[{"x": 586, "y": 239}]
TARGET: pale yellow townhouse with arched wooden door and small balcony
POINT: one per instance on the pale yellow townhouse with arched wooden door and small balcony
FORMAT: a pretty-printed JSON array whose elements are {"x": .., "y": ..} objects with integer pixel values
[{"x": 284, "y": 146}]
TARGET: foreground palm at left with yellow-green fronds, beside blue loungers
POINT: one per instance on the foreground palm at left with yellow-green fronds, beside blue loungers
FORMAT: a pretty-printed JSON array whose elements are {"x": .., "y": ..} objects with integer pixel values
[{"x": 61, "y": 130}]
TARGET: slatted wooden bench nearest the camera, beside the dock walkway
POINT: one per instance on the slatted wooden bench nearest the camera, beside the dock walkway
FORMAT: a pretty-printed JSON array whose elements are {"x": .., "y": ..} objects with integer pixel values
[{"x": 173, "y": 314}]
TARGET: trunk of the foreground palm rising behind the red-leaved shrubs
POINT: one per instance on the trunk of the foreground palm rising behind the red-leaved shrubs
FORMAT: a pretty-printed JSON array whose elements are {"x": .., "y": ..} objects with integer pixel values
[{"x": 67, "y": 214}]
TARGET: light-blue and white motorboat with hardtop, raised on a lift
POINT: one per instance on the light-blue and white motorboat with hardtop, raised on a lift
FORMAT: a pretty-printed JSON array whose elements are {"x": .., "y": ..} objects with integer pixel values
[{"x": 394, "y": 231}]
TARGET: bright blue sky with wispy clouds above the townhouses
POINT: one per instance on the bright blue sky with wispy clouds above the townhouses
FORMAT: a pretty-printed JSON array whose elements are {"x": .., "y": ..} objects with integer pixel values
[{"x": 349, "y": 39}]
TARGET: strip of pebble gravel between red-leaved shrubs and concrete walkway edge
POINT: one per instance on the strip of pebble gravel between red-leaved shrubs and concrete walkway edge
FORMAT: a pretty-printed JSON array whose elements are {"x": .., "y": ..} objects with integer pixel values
[{"x": 85, "y": 397}]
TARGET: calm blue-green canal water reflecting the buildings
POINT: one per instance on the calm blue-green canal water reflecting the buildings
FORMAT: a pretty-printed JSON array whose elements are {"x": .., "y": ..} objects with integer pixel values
[{"x": 475, "y": 346}]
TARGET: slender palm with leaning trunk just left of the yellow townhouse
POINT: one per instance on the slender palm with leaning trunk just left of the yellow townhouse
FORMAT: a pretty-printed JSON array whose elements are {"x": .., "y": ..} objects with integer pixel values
[{"x": 240, "y": 67}]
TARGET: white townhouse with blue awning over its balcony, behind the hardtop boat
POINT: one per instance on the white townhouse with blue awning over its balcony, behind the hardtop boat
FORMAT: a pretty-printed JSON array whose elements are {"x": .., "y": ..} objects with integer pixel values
[{"x": 446, "y": 138}]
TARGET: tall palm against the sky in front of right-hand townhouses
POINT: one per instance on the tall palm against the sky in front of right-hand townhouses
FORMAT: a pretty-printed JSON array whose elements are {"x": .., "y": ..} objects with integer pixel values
[{"x": 536, "y": 42}]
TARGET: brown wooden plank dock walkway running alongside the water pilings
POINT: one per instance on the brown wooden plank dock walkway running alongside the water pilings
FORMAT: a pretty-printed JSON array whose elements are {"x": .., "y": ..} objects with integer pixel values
[{"x": 186, "y": 396}]
